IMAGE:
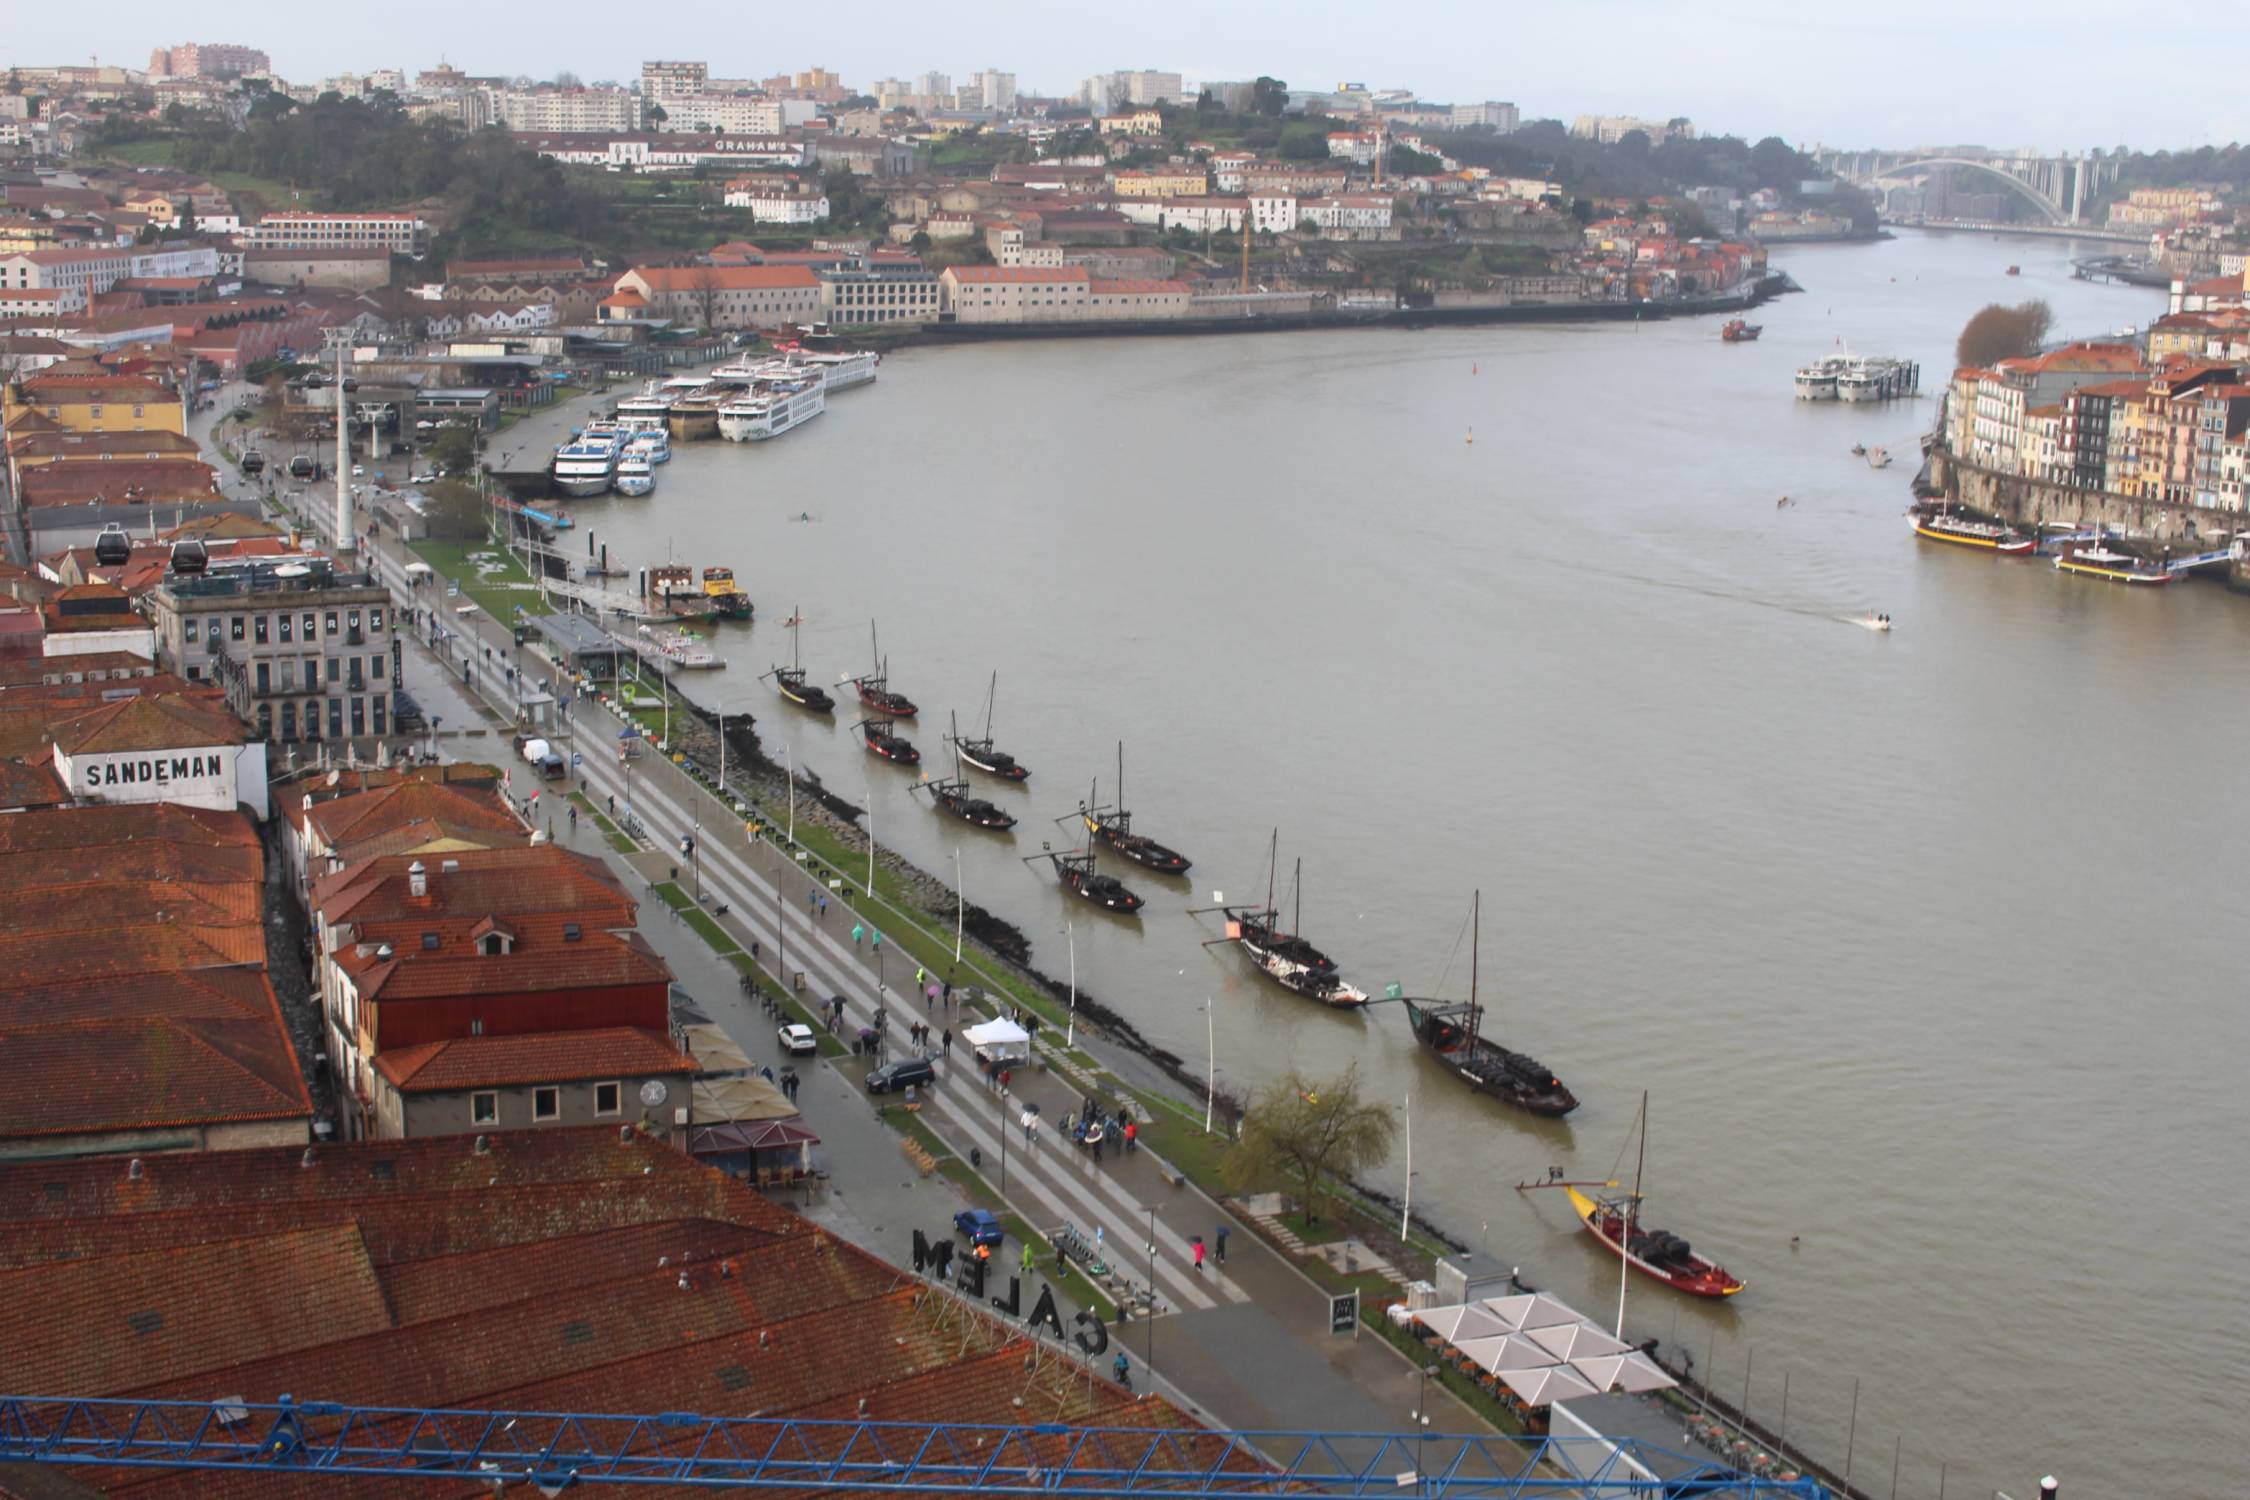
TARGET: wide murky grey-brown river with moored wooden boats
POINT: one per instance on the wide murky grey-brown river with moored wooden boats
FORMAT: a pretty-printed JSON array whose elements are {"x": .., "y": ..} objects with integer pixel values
[{"x": 1925, "y": 946}]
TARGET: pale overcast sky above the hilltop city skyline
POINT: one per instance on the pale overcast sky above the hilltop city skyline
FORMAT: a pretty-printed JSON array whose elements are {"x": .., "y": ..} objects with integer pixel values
[{"x": 1882, "y": 73}]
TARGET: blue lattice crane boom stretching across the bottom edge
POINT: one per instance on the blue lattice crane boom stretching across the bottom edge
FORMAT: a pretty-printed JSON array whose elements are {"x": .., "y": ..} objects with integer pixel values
[{"x": 912, "y": 1458}]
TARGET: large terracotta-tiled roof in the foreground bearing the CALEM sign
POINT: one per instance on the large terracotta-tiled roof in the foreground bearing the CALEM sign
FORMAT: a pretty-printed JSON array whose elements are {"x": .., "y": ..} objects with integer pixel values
[{"x": 557, "y": 1269}]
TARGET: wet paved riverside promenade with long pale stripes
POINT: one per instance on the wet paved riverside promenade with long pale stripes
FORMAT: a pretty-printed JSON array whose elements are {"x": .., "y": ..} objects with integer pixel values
[{"x": 1243, "y": 1344}]
